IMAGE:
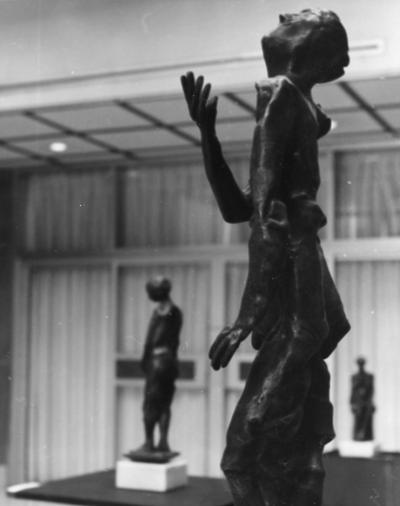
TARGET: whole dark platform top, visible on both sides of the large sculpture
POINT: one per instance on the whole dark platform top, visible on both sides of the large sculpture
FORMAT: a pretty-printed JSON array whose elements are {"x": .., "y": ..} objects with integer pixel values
[{"x": 349, "y": 482}]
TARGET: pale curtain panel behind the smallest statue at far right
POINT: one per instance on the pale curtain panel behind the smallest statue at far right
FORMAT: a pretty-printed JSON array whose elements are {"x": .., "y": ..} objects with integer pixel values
[{"x": 371, "y": 295}]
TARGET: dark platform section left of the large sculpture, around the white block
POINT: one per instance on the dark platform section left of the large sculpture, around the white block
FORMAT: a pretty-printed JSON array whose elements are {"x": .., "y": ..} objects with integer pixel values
[{"x": 98, "y": 489}]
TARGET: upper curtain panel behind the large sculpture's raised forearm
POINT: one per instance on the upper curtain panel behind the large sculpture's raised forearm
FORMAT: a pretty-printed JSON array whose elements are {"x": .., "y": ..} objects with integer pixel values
[{"x": 162, "y": 206}]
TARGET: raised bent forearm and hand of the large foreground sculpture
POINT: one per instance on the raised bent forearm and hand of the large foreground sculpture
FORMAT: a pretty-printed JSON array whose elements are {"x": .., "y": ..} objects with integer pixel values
[{"x": 234, "y": 204}]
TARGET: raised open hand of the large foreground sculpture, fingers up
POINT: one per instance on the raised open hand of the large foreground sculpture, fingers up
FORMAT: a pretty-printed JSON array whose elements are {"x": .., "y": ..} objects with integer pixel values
[{"x": 202, "y": 110}]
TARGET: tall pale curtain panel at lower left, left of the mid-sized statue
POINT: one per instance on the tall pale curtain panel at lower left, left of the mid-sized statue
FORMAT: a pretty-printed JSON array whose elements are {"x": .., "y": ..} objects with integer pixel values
[{"x": 69, "y": 373}]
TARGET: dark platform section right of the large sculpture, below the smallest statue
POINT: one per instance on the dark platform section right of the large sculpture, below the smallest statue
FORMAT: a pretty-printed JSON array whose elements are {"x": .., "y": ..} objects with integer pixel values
[{"x": 362, "y": 482}]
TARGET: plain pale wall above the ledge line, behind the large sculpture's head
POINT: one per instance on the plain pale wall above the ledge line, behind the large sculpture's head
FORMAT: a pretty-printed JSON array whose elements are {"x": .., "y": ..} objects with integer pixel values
[{"x": 48, "y": 39}]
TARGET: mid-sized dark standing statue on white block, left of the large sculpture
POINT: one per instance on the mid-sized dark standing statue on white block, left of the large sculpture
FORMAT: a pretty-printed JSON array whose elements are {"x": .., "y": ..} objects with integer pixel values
[{"x": 160, "y": 365}]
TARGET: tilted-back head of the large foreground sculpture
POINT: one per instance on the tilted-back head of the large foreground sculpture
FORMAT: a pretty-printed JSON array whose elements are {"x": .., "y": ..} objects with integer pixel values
[{"x": 311, "y": 42}]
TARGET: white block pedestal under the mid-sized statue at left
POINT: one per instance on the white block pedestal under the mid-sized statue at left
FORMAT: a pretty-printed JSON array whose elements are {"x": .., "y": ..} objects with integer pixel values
[{"x": 149, "y": 476}]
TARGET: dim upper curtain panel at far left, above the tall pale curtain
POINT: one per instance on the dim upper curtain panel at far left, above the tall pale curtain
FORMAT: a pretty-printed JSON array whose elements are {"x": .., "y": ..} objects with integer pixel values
[{"x": 63, "y": 212}]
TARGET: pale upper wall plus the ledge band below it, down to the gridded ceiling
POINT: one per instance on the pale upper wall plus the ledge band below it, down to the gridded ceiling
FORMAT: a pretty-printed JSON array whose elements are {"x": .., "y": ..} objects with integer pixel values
[{"x": 46, "y": 40}]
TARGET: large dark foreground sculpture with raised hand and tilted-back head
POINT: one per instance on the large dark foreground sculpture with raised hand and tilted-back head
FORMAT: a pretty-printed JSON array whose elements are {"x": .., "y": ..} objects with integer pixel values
[{"x": 290, "y": 304}]
